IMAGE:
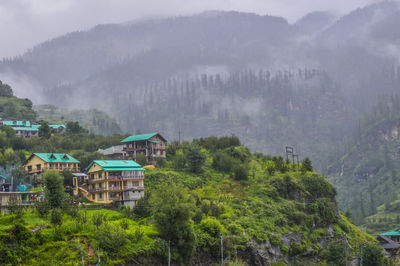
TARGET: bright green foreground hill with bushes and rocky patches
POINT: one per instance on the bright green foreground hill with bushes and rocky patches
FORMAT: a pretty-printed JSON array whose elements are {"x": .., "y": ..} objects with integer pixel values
[{"x": 264, "y": 211}]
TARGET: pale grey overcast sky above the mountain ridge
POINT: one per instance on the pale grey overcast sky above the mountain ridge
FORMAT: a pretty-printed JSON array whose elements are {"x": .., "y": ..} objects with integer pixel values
[{"x": 24, "y": 23}]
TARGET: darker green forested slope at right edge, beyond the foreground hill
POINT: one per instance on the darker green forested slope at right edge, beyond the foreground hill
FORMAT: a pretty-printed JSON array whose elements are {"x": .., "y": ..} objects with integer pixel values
[{"x": 367, "y": 176}]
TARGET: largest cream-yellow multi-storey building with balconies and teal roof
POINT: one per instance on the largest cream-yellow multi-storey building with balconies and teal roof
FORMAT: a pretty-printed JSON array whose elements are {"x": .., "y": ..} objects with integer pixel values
[{"x": 119, "y": 181}]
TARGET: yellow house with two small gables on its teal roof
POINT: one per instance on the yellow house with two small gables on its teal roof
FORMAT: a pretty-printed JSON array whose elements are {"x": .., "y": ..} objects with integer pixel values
[{"x": 38, "y": 163}]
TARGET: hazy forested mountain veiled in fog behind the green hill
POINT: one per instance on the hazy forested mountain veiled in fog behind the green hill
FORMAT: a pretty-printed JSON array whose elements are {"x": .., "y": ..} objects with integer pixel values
[{"x": 268, "y": 81}]
